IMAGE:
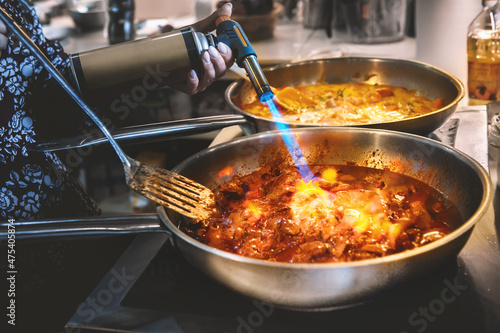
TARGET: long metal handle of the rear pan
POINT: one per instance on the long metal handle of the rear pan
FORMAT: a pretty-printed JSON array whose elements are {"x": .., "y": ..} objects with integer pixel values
[{"x": 145, "y": 133}]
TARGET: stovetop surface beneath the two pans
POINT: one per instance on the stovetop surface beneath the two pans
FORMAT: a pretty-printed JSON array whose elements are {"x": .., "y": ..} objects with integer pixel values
[{"x": 152, "y": 289}]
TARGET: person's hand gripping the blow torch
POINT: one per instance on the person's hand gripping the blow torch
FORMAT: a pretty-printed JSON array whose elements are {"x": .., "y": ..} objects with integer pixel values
[{"x": 215, "y": 61}]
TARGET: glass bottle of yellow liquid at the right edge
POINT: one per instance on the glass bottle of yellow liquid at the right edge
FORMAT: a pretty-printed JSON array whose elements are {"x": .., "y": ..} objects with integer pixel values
[{"x": 483, "y": 54}]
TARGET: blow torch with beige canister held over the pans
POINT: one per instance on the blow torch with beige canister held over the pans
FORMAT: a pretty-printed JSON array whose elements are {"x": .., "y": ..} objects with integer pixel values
[{"x": 148, "y": 63}]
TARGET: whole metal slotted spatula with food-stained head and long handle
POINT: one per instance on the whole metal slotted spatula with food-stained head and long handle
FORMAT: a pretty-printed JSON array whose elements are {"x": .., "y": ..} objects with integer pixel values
[{"x": 167, "y": 188}]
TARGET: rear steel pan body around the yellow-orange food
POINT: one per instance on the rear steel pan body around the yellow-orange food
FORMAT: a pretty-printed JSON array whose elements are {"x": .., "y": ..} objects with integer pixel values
[{"x": 425, "y": 79}]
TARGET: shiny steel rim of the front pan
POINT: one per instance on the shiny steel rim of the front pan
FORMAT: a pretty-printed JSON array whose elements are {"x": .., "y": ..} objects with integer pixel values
[{"x": 484, "y": 205}]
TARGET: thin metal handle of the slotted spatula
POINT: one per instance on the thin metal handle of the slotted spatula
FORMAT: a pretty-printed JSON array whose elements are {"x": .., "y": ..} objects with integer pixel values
[{"x": 9, "y": 22}]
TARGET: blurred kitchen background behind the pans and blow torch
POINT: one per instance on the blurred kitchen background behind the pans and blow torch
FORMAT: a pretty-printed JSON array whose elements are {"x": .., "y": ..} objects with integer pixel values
[{"x": 281, "y": 31}]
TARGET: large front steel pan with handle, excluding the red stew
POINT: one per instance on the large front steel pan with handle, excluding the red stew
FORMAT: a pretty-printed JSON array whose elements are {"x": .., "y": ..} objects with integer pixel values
[{"x": 308, "y": 287}]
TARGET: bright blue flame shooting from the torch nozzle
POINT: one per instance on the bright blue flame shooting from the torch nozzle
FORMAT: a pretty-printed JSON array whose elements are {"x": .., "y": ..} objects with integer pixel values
[{"x": 291, "y": 143}]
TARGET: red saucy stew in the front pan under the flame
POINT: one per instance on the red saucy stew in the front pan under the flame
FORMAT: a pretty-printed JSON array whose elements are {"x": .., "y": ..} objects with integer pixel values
[{"x": 346, "y": 213}]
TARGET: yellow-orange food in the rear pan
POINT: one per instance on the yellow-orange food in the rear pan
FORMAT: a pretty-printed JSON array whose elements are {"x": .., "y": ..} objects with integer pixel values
[{"x": 344, "y": 104}]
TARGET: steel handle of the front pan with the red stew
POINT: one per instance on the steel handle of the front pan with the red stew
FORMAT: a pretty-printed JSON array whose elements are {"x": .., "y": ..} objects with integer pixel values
[{"x": 82, "y": 226}]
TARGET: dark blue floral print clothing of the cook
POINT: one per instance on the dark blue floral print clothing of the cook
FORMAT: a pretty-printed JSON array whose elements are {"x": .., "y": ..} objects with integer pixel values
[{"x": 32, "y": 184}]
